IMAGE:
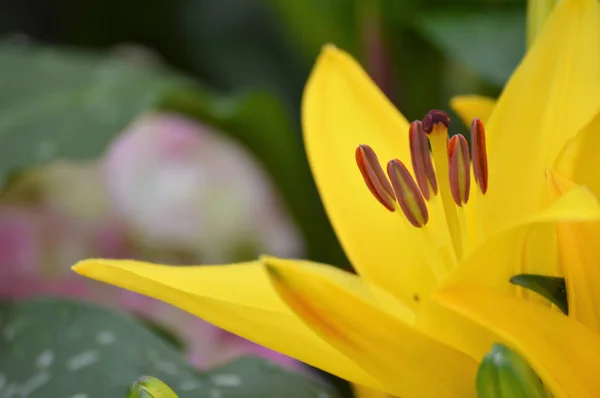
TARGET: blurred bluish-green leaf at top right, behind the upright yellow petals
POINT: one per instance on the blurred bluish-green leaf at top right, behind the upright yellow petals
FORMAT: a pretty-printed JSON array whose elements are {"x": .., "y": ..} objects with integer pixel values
[{"x": 489, "y": 41}]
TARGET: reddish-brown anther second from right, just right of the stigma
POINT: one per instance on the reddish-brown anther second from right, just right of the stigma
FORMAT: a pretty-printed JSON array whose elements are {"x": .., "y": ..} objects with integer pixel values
[{"x": 459, "y": 169}]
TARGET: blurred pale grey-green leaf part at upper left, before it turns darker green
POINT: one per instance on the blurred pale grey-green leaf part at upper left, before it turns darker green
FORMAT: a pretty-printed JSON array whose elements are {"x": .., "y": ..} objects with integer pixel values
[{"x": 58, "y": 104}]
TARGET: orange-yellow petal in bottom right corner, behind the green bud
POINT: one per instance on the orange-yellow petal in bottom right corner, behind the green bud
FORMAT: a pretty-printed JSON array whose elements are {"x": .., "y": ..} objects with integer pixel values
[{"x": 564, "y": 353}]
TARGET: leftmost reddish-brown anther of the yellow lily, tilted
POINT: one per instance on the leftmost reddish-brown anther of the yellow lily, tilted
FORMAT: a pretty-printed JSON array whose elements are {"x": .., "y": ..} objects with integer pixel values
[{"x": 374, "y": 177}]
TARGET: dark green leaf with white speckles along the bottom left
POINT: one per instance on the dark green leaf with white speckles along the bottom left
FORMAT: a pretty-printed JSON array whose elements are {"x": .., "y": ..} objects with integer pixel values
[{"x": 63, "y": 348}]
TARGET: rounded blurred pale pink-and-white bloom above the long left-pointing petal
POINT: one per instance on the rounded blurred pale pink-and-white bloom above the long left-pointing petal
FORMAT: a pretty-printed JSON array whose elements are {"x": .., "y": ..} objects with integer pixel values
[{"x": 181, "y": 185}]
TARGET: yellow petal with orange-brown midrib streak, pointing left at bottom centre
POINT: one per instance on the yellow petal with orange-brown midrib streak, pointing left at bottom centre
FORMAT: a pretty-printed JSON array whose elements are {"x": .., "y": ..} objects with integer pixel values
[{"x": 353, "y": 316}]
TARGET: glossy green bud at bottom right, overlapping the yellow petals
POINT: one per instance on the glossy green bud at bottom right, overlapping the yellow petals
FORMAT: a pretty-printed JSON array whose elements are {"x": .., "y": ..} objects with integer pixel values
[{"x": 504, "y": 374}]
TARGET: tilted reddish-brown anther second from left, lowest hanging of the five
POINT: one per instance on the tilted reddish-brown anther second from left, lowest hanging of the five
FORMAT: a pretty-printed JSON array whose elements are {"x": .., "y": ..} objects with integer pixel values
[{"x": 408, "y": 195}]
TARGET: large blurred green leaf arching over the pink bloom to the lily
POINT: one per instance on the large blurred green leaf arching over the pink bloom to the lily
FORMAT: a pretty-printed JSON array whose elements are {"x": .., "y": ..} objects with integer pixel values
[{"x": 66, "y": 104}]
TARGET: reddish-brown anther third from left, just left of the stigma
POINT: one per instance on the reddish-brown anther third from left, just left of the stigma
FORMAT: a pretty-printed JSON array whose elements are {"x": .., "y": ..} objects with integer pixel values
[{"x": 421, "y": 160}]
